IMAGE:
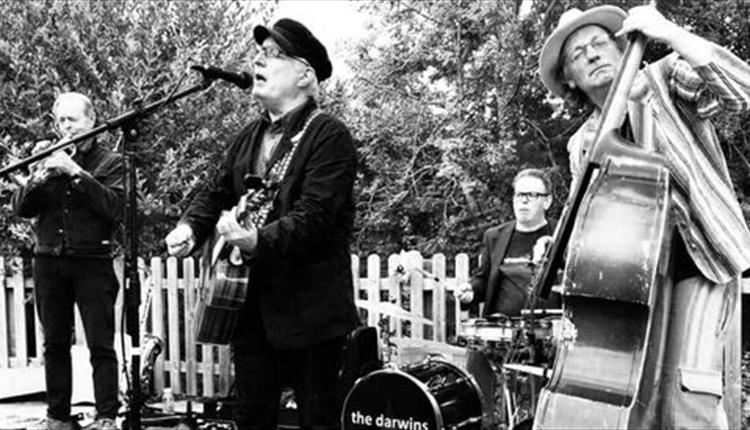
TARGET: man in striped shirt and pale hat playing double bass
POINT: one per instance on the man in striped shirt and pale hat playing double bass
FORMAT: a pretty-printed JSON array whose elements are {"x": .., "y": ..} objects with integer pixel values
[{"x": 684, "y": 90}]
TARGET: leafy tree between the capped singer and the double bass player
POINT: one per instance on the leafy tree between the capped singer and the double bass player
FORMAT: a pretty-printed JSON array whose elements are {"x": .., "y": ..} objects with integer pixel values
[{"x": 435, "y": 112}]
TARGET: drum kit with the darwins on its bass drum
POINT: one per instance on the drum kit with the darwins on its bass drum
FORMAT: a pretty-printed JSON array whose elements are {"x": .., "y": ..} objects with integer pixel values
[{"x": 493, "y": 384}]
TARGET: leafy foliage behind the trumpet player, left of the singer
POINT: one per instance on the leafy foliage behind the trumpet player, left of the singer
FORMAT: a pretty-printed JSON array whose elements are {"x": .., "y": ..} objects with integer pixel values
[{"x": 125, "y": 54}]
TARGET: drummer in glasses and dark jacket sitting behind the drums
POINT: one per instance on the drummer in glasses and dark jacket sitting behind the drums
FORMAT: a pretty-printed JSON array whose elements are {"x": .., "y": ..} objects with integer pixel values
[{"x": 503, "y": 277}]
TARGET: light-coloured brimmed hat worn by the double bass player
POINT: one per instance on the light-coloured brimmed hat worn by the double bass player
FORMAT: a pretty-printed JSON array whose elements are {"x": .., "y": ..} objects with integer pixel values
[{"x": 609, "y": 17}]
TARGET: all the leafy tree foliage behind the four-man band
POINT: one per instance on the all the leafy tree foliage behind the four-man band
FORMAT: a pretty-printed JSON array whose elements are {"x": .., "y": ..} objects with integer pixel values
[{"x": 444, "y": 101}]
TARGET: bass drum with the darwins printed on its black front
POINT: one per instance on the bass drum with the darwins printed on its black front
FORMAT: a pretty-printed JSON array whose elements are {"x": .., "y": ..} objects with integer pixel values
[{"x": 433, "y": 394}]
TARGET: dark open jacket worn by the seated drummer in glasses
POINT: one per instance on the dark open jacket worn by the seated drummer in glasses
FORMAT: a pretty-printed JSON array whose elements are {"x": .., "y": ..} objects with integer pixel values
[{"x": 486, "y": 278}]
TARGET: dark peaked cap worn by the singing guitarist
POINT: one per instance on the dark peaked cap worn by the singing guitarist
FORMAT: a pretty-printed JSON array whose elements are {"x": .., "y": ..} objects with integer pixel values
[{"x": 298, "y": 41}]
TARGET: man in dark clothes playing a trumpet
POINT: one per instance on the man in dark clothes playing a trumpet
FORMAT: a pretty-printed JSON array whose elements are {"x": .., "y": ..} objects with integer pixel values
[{"x": 77, "y": 201}]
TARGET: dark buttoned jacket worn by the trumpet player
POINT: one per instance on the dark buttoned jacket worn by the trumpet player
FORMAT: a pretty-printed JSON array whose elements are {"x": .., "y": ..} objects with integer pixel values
[{"x": 77, "y": 216}]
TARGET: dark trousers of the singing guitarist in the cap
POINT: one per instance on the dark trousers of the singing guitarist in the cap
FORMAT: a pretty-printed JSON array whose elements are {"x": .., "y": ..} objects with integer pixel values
[{"x": 262, "y": 371}]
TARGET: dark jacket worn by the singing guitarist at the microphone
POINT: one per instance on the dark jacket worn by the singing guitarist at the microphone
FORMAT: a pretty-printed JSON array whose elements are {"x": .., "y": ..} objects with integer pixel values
[{"x": 301, "y": 268}]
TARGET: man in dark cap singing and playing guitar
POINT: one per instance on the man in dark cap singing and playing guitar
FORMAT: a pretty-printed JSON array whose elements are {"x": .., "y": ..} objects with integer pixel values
[{"x": 300, "y": 304}]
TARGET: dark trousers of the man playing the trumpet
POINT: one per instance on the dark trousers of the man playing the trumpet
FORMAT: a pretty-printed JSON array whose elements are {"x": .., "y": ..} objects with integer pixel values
[{"x": 59, "y": 283}]
